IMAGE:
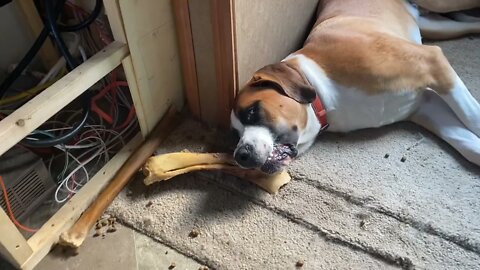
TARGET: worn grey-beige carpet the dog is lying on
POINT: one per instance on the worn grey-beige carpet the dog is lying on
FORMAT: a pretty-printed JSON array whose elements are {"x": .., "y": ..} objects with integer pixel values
[{"x": 348, "y": 207}]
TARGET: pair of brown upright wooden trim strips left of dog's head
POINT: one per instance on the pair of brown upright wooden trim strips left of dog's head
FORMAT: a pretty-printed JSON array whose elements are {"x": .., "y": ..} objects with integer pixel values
[{"x": 223, "y": 28}]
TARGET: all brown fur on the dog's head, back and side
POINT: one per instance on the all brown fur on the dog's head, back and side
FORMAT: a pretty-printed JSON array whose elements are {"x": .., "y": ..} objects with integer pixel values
[{"x": 360, "y": 44}]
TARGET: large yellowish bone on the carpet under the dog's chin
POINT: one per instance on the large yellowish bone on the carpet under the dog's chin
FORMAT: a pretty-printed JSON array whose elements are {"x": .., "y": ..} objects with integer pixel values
[{"x": 167, "y": 166}]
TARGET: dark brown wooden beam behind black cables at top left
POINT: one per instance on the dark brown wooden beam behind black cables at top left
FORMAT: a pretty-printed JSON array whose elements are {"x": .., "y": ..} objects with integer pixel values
[{"x": 48, "y": 53}]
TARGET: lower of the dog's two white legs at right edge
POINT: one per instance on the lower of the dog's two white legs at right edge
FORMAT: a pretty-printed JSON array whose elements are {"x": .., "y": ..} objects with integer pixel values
[{"x": 435, "y": 115}]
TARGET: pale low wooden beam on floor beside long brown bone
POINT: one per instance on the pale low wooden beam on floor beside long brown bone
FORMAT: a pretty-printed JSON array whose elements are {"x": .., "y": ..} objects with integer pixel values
[{"x": 42, "y": 241}]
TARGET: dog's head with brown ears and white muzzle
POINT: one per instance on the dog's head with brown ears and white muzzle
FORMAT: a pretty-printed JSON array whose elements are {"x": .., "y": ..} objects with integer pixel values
[{"x": 270, "y": 115}]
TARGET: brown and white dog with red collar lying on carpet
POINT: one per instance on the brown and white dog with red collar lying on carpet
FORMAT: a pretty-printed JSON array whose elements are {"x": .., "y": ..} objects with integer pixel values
[{"x": 362, "y": 66}]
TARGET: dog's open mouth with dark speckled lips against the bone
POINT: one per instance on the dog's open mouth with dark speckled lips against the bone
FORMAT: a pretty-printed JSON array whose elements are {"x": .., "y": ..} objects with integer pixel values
[{"x": 281, "y": 156}]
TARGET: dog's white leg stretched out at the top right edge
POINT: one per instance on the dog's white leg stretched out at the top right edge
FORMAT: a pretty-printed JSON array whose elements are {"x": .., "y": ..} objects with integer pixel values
[{"x": 438, "y": 27}]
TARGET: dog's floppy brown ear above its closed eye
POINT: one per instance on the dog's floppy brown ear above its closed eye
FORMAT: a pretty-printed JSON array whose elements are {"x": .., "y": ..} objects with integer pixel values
[{"x": 286, "y": 79}]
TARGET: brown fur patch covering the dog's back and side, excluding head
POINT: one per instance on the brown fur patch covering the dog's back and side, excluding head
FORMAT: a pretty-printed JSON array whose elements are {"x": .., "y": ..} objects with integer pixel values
[{"x": 369, "y": 51}]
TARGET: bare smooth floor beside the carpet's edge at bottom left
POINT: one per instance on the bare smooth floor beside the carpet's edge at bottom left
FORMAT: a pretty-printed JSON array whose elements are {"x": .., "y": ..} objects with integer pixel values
[{"x": 124, "y": 249}]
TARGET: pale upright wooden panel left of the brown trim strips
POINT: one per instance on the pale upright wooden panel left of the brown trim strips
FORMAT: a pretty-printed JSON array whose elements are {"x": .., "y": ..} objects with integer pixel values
[{"x": 150, "y": 32}]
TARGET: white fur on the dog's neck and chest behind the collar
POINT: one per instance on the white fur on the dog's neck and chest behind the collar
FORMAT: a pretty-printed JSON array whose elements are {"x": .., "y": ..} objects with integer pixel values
[{"x": 351, "y": 109}]
